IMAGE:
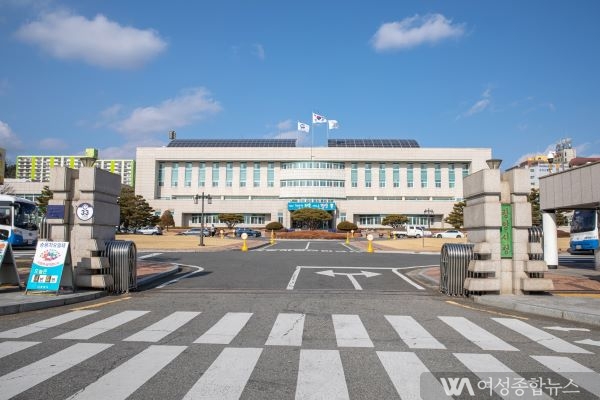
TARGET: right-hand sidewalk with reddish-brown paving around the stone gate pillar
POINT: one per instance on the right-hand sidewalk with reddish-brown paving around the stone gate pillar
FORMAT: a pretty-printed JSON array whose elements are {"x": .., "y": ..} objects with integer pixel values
[{"x": 576, "y": 295}]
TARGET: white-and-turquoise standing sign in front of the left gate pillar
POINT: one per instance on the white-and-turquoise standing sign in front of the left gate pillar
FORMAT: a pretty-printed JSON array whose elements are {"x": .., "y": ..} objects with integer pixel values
[{"x": 48, "y": 264}]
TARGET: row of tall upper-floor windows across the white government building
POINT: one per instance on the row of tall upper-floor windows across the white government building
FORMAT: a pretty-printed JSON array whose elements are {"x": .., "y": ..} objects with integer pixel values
[{"x": 256, "y": 174}]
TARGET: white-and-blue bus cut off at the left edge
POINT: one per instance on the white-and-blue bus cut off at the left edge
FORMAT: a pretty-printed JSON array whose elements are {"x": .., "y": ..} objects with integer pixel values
[{"x": 18, "y": 221}]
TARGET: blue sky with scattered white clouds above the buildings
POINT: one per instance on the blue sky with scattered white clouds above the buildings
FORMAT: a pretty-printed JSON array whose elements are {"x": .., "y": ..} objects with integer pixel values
[{"x": 513, "y": 76}]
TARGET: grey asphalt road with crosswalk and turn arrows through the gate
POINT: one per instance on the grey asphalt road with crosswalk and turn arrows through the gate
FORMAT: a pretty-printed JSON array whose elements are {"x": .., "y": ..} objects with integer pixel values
[{"x": 243, "y": 327}]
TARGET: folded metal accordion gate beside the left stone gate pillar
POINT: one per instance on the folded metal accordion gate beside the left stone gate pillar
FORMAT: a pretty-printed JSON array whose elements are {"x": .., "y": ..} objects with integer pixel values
[{"x": 122, "y": 258}]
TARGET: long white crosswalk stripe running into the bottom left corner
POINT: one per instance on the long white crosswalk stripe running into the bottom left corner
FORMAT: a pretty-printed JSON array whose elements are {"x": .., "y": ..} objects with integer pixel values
[{"x": 27, "y": 377}]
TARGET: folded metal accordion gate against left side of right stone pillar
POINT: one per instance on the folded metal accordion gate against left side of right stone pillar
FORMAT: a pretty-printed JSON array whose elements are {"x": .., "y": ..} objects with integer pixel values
[{"x": 454, "y": 263}]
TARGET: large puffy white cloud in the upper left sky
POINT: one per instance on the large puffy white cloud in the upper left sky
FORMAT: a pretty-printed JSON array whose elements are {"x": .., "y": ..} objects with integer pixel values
[{"x": 98, "y": 42}]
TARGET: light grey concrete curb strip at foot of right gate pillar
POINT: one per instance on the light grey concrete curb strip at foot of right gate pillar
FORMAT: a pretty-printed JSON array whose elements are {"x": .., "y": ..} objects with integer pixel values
[{"x": 570, "y": 309}]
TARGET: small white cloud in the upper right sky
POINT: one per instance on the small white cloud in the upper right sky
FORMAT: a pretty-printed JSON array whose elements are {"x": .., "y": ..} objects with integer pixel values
[{"x": 415, "y": 31}]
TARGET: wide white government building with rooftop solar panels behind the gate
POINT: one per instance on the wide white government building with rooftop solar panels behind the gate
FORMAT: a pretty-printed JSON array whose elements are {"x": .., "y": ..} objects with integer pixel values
[{"x": 358, "y": 180}]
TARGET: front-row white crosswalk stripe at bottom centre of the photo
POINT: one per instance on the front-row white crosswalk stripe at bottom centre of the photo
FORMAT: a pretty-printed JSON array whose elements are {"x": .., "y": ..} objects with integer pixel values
[{"x": 321, "y": 376}]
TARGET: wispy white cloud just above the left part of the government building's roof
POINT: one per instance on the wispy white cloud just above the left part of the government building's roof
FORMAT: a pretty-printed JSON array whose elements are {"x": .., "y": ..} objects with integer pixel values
[{"x": 190, "y": 106}]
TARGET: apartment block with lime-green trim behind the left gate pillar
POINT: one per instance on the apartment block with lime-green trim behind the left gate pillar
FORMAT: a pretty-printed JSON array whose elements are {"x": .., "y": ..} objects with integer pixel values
[{"x": 37, "y": 168}]
